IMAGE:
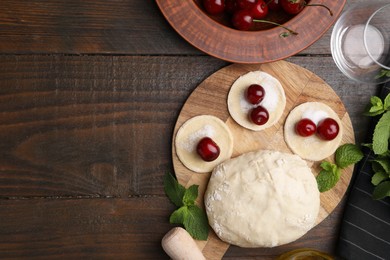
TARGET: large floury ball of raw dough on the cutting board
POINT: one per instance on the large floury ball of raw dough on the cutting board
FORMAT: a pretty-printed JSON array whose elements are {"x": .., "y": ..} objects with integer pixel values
[{"x": 262, "y": 199}]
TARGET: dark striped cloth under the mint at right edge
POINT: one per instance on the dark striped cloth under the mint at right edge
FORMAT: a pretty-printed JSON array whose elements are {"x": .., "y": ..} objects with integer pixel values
[{"x": 365, "y": 227}]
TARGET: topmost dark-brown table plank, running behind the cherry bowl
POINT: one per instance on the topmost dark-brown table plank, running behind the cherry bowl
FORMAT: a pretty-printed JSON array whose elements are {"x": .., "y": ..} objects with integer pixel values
[{"x": 97, "y": 26}]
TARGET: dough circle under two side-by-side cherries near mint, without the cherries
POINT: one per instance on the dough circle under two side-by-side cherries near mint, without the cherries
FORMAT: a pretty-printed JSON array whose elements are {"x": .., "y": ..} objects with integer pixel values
[{"x": 311, "y": 148}]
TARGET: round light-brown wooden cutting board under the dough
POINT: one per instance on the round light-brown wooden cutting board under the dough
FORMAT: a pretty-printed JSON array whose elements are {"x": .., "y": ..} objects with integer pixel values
[{"x": 210, "y": 98}]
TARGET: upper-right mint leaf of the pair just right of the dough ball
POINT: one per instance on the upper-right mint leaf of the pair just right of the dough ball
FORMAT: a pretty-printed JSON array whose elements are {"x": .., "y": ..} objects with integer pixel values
[{"x": 348, "y": 154}]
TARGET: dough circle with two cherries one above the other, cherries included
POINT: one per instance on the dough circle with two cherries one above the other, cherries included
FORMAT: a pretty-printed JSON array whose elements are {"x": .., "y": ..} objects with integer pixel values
[{"x": 256, "y": 100}]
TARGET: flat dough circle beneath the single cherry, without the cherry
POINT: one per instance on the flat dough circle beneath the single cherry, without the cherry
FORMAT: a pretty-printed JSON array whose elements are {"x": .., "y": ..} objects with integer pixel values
[{"x": 192, "y": 131}]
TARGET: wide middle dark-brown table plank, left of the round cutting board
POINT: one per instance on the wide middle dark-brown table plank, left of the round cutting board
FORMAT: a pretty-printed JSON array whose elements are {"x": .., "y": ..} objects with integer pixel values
[{"x": 89, "y": 126}]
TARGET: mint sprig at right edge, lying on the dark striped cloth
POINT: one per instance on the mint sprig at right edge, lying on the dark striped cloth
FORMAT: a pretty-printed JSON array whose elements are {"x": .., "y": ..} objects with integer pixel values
[{"x": 380, "y": 147}]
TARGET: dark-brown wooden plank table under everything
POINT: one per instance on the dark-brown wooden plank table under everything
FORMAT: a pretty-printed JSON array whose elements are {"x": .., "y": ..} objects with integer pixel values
[{"x": 89, "y": 94}]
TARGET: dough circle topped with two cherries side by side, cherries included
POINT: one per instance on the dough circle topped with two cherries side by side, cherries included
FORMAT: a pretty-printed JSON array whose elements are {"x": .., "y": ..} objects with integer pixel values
[{"x": 313, "y": 131}]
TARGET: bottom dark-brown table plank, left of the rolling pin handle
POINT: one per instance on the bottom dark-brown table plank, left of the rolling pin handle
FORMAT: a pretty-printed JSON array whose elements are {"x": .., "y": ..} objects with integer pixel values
[{"x": 84, "y": 228}]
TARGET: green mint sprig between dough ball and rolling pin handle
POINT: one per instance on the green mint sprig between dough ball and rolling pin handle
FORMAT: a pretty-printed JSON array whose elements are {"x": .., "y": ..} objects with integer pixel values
[{"x": 188, "y": 214}]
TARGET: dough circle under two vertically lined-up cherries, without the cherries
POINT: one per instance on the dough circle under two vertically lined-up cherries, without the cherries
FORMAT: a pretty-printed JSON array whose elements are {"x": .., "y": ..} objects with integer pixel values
[{"x": 274, "y": 100}]
